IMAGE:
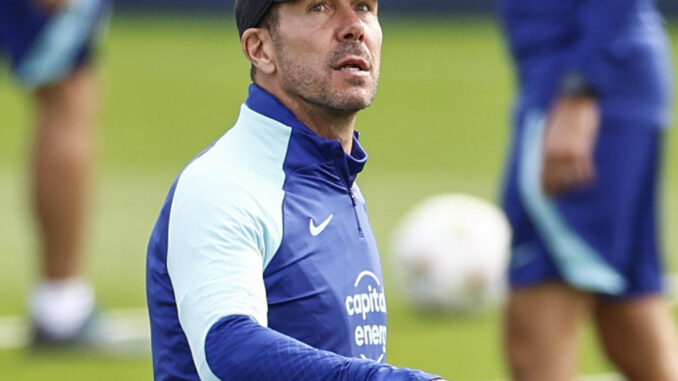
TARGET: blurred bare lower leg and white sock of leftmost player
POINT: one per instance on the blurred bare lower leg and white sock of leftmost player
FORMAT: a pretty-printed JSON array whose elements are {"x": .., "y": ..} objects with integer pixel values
[{"x": 61, "y": 189}]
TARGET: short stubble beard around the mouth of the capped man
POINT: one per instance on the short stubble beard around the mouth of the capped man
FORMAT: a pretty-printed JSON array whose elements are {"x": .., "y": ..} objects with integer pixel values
[{"x": 313, "y": 86}]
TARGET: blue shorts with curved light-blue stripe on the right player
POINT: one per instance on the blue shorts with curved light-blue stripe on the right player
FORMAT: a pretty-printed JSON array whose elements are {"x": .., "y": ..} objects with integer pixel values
[{"x": 601, "y": 238}]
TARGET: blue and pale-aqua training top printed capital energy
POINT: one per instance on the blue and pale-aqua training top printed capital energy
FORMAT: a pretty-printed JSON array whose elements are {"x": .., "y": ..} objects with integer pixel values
[{"x": 263, "y": 265}]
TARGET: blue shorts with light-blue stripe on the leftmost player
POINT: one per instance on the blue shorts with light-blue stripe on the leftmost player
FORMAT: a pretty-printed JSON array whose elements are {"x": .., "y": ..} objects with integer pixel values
[{"x": 45, "y": 47}]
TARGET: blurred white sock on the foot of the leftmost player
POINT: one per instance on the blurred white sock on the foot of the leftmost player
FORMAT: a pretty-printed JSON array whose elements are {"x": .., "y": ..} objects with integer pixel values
[{"x": 61, "y": 307}]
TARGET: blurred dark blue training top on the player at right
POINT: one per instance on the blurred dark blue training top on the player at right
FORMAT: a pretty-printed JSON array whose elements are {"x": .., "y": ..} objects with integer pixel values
[{"x": 618, "y": 46}]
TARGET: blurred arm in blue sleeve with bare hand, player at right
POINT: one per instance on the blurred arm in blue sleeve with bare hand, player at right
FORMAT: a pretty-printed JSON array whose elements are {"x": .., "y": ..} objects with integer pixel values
[{"x": 574, "y": 119}]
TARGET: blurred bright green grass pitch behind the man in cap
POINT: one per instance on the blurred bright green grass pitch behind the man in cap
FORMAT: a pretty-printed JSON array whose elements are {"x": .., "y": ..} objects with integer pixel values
[{"x": 173, "y": 85}]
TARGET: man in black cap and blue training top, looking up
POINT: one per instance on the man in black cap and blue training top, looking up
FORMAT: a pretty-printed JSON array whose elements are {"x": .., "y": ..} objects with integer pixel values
[{"x": 263, "y": 265}]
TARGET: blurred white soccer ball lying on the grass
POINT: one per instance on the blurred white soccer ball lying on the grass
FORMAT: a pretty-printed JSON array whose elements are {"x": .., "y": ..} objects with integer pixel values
[{"x": 451, "y": 253}]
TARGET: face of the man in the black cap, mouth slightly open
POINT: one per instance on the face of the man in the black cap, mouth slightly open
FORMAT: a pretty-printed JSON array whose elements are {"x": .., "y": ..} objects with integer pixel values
[{"x": 328, "y": 52}]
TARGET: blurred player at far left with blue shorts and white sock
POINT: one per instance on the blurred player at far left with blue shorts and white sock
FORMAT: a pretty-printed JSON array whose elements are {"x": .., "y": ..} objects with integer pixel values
[{"x": 50, "y": 44}]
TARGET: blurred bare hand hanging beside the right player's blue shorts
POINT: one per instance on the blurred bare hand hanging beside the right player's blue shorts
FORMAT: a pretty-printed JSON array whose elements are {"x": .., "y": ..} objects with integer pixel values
[{"x": 569, "y": 141}]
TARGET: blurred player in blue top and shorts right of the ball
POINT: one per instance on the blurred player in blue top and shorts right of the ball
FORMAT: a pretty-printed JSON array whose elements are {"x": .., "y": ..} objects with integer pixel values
[{"x": 581, "y": 188}]
